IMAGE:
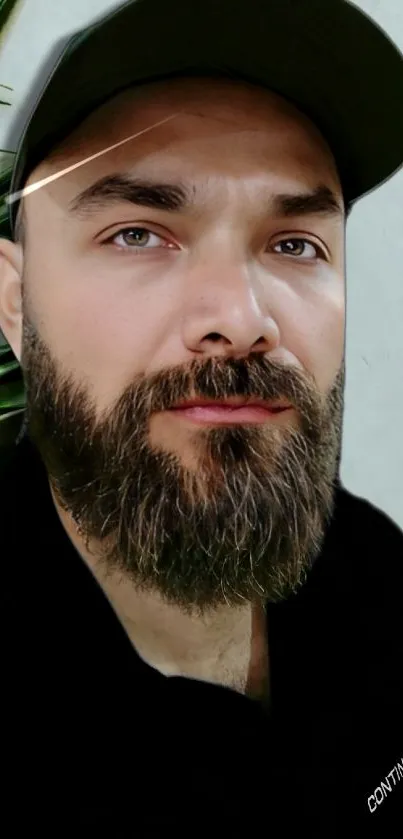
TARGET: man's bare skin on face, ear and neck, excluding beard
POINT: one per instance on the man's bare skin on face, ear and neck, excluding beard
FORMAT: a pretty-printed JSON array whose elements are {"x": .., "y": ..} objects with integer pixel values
[{"x": 214, "y": 282}]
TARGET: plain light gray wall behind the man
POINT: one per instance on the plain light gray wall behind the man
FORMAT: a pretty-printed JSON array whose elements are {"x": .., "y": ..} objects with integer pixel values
[{"x": 372, "y": 463}]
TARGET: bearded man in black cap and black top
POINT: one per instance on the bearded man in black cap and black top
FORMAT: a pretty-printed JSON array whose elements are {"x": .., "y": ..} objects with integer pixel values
[{"x": 203, "y": 626}]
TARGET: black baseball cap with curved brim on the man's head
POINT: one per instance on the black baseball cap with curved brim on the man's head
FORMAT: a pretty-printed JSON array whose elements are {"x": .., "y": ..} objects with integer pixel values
[{"x": 326, "y": 57}]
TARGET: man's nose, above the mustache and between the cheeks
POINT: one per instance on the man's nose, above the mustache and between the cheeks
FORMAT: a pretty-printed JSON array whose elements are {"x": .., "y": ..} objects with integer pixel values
[{"x": 227, "y": 312}]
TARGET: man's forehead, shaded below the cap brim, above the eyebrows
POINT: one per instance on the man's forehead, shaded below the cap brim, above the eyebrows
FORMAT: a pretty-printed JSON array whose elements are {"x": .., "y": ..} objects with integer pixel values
[{"x": 190, "y": 123}]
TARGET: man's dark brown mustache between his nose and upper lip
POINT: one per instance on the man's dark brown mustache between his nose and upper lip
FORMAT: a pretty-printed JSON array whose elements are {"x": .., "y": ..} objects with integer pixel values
[{"x": 219, "y": 378}]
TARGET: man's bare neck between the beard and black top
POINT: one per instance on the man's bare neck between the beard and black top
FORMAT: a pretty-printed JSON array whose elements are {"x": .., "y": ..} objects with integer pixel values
[{"x": 227, "y": 645}]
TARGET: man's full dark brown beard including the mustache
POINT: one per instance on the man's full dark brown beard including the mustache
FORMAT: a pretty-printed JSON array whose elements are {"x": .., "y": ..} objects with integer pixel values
[{"x": 246, "y": 524}]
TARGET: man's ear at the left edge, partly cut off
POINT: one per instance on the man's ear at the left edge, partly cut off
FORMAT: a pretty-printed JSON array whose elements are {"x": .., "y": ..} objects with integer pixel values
[{"x": 11, "y": 265}]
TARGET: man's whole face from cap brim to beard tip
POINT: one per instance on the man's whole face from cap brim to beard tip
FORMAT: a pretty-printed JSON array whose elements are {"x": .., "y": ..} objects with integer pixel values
[{"x": 213, "y": 287}]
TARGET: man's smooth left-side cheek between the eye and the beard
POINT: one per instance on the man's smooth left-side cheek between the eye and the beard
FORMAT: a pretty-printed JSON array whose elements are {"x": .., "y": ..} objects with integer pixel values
[{"x": 102, "y": 327}]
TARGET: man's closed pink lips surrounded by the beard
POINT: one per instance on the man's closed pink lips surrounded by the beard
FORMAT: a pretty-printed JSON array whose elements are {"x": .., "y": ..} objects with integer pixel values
[{"x": 232, "y": 411}]
